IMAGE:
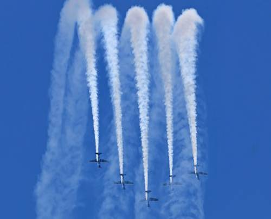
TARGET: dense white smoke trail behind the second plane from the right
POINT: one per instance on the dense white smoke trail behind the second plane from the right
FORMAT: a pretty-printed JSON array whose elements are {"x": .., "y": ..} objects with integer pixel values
[{"x": 163, "y": 21}]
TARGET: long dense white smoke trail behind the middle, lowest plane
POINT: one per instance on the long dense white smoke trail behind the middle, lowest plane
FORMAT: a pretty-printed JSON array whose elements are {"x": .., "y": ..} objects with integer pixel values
[{"x": 137, "y": 22}]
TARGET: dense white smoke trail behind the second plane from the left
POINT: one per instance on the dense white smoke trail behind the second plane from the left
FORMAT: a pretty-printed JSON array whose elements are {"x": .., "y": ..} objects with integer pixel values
[{"x": 108, "y": 20}]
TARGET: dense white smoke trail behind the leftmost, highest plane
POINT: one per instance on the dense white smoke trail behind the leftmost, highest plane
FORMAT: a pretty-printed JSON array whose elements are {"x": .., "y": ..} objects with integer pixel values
[{"x": 88, "y": 46}]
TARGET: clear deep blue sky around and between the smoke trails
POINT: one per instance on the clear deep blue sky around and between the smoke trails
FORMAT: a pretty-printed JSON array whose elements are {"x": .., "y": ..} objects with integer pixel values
[{"x": 233, "y": 76}]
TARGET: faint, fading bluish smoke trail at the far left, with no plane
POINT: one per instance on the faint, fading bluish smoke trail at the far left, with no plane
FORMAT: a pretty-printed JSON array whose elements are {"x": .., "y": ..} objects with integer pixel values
[{"x": 47, "y": 197}]
